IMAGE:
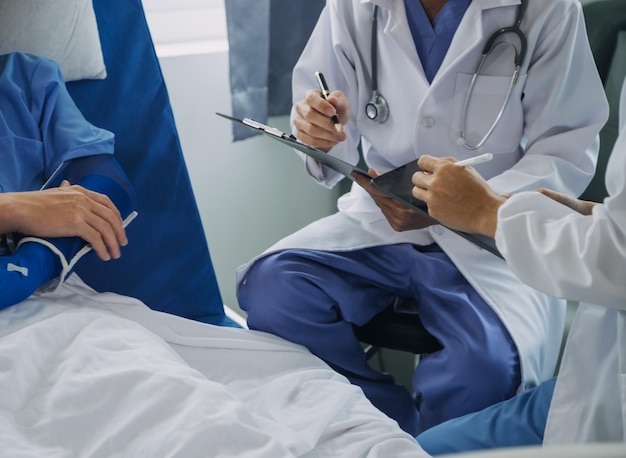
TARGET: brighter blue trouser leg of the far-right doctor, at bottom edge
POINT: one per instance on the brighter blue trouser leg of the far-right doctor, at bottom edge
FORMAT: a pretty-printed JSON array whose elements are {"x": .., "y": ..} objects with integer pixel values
[{"x": 516, "y": 422}]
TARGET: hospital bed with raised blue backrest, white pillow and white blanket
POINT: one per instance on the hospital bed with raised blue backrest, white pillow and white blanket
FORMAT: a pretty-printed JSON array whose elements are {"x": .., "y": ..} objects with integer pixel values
[{"x": 136, "y": 356}]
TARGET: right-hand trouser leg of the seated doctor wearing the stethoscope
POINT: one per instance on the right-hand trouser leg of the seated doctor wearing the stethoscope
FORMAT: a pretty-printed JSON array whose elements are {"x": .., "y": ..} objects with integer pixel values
[{"x": 479, "y": 364}]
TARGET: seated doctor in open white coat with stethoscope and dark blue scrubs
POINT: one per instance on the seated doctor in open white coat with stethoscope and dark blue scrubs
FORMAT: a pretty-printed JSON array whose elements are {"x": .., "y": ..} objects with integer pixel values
[{"x": 544, "y": 139}]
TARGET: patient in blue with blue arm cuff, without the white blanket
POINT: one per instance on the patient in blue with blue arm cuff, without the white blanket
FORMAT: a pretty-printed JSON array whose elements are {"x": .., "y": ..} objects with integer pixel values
[{"x": 44, "y": 137}]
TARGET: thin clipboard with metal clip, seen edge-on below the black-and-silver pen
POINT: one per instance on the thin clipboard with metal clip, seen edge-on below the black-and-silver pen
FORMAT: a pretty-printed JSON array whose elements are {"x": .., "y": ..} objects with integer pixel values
[{"x": 320, "y": 156}]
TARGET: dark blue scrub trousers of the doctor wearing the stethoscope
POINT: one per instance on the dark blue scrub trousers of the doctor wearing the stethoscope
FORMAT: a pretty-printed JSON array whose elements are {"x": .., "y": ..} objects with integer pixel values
[{"x": 313, "y": 298}]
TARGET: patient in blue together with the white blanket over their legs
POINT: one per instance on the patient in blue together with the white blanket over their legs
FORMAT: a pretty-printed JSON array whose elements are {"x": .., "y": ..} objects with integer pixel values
[{"x": 88, "y": 373}]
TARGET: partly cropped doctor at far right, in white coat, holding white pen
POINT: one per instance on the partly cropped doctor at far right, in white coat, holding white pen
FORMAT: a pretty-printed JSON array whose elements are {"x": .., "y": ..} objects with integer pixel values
[{"x": 577, "y": 251}]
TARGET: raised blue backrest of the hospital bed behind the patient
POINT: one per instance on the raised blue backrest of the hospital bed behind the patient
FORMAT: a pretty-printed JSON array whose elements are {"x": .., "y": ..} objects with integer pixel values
[{"x": 166, "y": 239}]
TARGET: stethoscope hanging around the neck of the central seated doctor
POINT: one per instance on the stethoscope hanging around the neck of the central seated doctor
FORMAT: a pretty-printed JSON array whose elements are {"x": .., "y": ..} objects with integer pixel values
[{"x": 377, "y": 108}]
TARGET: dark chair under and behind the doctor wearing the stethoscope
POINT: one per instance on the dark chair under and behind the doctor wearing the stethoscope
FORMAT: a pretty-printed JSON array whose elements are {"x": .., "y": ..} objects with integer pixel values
[{"x": 606, "y": 28}]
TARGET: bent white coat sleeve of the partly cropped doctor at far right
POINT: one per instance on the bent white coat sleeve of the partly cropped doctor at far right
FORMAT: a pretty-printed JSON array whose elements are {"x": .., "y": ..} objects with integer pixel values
[{"x": 563, "y": 253}]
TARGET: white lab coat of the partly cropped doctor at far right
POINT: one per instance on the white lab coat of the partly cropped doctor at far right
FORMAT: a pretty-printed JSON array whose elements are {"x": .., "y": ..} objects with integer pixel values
[{"x": 582, "y": 258}]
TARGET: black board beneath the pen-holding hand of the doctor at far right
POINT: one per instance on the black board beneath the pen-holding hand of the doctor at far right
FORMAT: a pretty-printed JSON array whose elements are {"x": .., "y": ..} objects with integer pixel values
[{"x": 397, "y": 184}]
